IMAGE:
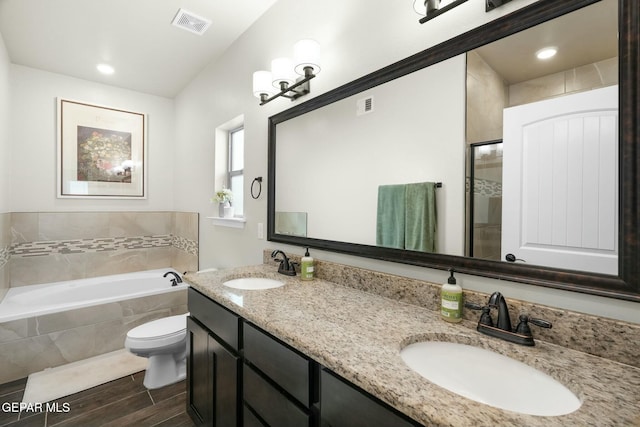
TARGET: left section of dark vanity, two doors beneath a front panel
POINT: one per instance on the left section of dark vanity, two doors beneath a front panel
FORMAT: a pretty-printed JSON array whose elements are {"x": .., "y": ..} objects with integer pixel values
[{"x": 213, "y": 365}]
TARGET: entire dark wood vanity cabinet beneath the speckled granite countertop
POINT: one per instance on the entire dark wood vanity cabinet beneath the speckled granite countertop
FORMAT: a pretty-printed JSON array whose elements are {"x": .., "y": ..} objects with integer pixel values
[{"x": 239, "y": 375}]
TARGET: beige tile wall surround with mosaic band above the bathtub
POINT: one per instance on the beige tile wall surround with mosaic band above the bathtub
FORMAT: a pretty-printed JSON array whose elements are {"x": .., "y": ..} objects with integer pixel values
[{"x": 54, "y": 246}]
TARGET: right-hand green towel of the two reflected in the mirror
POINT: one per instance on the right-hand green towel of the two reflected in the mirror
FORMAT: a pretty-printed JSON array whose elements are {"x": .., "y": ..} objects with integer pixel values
[{"x": 420, "y": 220}]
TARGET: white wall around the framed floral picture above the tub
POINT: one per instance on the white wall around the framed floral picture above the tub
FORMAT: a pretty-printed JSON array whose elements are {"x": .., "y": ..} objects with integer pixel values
[{"x": 33, "y": 141}]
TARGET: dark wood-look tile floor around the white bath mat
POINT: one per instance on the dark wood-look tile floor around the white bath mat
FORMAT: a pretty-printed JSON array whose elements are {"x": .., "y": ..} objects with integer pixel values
[{"x": 120, "y": 403}]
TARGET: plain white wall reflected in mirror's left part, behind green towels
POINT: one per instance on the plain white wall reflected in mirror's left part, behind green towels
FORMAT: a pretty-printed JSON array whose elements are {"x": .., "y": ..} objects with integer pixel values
[{"x": 344, "y": 152}]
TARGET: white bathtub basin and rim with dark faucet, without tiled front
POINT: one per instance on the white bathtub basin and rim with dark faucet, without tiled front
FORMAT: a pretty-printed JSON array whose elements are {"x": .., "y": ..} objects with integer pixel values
[{"x": 36, "y": 300}]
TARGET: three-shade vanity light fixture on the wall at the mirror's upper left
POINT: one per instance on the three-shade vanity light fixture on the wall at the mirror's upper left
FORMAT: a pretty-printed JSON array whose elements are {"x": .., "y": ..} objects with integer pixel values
[{"x": 284, "y": 73}]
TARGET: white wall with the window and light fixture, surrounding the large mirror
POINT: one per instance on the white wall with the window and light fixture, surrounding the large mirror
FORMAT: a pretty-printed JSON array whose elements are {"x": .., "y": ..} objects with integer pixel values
[{"x": 357, "y": 38}]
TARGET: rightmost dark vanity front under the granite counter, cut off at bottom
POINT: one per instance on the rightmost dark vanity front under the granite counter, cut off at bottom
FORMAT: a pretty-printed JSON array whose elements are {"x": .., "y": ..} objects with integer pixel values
[{"x": 344, "y": 405}]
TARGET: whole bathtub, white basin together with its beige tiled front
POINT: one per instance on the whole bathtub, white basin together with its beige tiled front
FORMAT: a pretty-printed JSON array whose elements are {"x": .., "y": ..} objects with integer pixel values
[{"x": 48, "y": 325}]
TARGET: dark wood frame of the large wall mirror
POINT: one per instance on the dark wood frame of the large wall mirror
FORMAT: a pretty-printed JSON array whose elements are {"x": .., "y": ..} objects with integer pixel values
[{"x": 626, "y": 285}]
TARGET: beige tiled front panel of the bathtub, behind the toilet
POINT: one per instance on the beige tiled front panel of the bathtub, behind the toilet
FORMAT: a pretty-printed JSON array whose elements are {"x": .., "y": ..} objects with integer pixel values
[{"x": 33, "y": 344}]
